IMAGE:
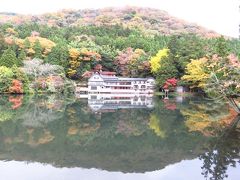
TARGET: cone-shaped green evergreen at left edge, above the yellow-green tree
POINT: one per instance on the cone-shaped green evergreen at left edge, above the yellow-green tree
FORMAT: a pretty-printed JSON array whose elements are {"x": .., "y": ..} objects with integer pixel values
[{"x": 9, "y": 59}]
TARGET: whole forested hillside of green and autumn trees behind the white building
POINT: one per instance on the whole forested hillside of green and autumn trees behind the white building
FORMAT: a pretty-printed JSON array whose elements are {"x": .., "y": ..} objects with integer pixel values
[{"x": 134, "y": 42}]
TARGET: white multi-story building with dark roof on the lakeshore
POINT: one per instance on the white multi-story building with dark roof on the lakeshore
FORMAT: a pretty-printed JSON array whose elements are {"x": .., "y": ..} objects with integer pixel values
[{"x": 98, "y": 83}]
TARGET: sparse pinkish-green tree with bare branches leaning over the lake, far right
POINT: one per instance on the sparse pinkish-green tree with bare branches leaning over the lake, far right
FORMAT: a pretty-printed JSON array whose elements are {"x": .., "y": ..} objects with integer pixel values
[{"x": 224, "y": 81}]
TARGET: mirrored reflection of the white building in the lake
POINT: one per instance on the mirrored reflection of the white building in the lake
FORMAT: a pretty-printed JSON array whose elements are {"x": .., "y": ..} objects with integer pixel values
[{"x": 110, "y": 102}]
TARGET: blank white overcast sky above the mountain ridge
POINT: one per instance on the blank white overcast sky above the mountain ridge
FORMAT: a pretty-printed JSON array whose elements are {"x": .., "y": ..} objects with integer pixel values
[{"x": 222, "y": 16}]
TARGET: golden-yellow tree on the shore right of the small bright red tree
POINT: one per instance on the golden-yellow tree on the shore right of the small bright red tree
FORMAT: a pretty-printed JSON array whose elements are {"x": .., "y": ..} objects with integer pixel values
[{"x": 196, "y": 73}]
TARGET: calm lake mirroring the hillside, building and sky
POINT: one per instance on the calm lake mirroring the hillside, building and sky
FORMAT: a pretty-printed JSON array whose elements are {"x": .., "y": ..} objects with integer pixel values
[{"x": 117, "y": 137}]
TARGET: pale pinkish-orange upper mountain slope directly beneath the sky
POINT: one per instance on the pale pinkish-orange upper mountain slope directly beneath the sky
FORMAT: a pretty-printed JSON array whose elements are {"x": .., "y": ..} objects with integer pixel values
[{"x": 150, "y": 21}]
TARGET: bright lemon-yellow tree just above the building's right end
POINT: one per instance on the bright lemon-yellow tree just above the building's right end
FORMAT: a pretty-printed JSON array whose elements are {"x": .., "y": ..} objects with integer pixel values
[{"x": 155, "y": 60}]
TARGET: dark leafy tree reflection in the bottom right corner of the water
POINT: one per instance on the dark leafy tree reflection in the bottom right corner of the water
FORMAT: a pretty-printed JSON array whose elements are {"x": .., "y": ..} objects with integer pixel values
[{"x": 222, "y": 153}]
